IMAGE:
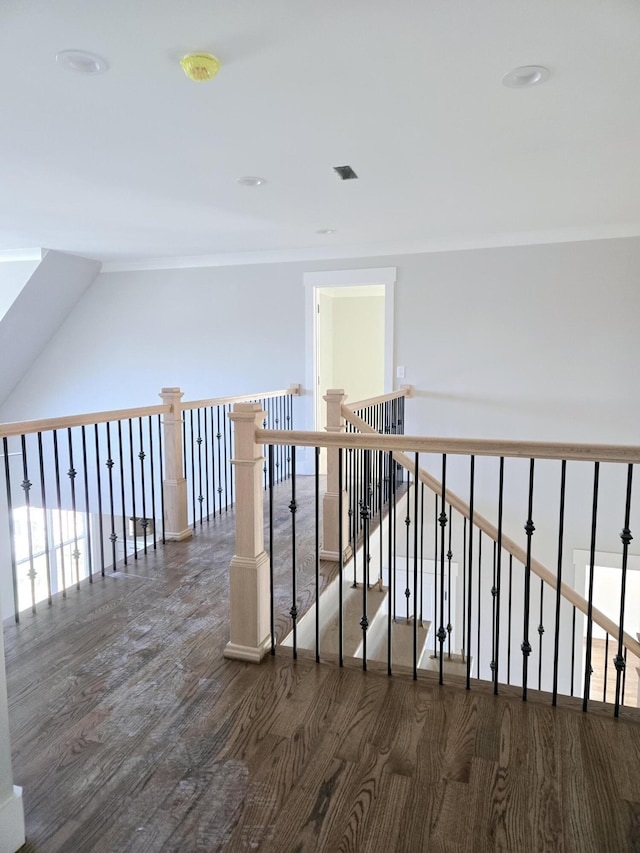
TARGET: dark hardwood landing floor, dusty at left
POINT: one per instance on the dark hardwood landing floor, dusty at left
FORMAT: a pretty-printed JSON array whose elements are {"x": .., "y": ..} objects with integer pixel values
[{"x": 131, "y": 732}]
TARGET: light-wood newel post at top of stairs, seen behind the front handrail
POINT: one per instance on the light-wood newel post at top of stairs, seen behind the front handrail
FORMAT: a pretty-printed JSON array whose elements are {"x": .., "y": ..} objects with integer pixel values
[{"x": 330, "y": 505}]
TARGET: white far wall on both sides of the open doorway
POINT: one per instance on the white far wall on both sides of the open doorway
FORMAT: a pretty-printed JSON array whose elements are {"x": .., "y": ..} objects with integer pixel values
[{"x": 534, "y": 341}]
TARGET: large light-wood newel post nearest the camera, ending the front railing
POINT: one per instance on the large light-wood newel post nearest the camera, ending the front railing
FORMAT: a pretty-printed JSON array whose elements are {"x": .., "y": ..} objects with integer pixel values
[{"x": 250, "y": 632}]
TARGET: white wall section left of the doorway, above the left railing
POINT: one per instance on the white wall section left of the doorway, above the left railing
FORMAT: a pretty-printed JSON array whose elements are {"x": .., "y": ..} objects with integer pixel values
[{"x": 209, "y": 331}]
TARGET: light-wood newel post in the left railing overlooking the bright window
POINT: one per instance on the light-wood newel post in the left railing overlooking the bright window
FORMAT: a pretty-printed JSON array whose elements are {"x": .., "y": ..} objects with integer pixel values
[{"x": 174, "y": 485}]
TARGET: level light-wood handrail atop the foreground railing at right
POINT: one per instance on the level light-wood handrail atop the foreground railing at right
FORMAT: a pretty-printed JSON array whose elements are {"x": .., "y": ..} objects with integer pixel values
[{"x": 459, "y": 446}]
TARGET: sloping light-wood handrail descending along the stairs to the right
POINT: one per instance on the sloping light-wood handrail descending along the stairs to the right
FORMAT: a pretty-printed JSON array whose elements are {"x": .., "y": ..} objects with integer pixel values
[{"x": 508, "y": 544}]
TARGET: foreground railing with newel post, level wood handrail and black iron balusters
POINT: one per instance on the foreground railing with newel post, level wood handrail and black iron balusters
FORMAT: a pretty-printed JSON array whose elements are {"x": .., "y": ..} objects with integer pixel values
[{"x": 467, "y": 597}]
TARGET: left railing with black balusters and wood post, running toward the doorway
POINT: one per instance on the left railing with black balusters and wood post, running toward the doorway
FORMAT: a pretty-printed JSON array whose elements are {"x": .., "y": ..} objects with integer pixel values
[{"x": 87, "y": 493}]
